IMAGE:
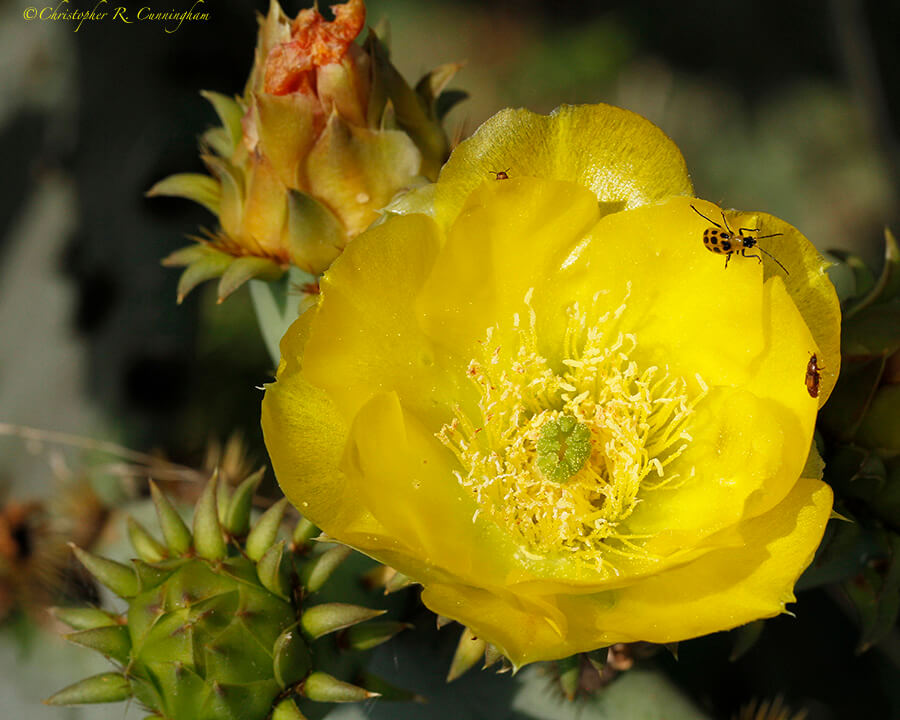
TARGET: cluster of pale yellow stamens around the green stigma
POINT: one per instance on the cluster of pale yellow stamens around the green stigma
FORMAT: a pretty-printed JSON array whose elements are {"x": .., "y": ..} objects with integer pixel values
[{"x": 566, "y": 443}]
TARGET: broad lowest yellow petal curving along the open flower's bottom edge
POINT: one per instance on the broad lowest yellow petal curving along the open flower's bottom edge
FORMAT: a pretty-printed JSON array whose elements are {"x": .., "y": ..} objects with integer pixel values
[{"x": 723, "y": 589}]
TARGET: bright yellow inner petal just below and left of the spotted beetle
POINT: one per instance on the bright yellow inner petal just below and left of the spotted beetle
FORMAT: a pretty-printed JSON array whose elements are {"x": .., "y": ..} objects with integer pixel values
[{"x": 688, "y": 312}]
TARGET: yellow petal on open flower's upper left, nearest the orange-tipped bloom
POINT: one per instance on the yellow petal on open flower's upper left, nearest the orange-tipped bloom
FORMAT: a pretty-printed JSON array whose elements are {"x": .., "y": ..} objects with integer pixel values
[{"x": 366, "y": 336}]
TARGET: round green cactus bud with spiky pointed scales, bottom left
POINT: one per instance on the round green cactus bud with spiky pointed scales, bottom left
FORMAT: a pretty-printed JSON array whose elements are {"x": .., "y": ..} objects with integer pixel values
[{"x": 218, "y": 624}]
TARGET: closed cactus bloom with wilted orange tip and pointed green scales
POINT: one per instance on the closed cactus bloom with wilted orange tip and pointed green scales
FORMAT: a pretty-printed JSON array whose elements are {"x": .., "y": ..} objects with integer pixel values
[{"x": 325, "y": 134}]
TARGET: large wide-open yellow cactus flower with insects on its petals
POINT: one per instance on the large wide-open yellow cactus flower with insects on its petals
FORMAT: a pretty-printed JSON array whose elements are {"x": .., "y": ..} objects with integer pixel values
[{"x": 544, "y": 399}]
